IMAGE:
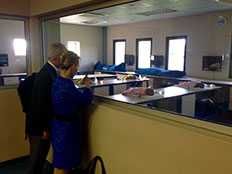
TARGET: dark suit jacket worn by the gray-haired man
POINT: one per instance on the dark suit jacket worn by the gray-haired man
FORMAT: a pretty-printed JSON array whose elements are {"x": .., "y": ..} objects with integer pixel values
[{"x": 42, "y": 111}]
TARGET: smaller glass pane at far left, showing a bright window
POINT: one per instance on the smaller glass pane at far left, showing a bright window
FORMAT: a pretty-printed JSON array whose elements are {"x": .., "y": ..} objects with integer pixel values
[{"x": 13, "y": 51}]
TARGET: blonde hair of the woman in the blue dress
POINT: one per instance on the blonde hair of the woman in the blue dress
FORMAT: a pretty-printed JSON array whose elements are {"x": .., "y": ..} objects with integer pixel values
[{"x": 68, "y": 59}]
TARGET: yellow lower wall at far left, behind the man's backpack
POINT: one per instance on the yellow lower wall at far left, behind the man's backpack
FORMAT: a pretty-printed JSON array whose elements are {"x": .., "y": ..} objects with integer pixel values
[{"x": 12, "y": 143}]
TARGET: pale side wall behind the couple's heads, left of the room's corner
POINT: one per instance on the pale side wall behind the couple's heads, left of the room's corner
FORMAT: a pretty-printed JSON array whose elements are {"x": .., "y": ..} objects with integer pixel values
[{"x": 91, "y": 43}]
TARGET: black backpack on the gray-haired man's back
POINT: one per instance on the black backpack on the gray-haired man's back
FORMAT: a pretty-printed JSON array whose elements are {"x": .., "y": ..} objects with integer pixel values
[{"x": 25, "y": 92}]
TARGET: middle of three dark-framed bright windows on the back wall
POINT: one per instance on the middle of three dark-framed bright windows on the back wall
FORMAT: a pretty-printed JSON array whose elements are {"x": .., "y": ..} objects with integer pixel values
[{"x": 143, "y": 52}]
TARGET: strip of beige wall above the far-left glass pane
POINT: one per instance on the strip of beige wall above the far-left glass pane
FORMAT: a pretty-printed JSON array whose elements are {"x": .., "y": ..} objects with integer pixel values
[{"x": 15, "y": 7}]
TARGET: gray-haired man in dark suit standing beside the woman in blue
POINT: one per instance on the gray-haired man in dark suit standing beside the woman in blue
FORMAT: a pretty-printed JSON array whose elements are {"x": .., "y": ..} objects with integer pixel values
[{"x": 41, "y": 109}]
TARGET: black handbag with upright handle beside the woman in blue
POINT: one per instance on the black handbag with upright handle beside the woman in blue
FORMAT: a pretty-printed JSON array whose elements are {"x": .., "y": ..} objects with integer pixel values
[{"x": 91, "y": 167}]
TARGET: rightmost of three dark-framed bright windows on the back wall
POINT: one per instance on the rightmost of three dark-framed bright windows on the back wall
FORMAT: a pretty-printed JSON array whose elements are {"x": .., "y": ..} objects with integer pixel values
[{"x": 176, "y": 53}]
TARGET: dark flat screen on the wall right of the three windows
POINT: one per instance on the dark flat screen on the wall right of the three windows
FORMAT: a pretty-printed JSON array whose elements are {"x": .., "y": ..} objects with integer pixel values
[{"x": 212, "y": 63}]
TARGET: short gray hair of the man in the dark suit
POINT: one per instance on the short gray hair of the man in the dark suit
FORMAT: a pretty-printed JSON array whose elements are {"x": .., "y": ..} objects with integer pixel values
[{"x": 56, "y": 50}]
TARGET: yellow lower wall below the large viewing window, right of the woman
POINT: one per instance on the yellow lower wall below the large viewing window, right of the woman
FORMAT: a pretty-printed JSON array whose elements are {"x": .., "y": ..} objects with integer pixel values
[{"x": 158, "y": 143}]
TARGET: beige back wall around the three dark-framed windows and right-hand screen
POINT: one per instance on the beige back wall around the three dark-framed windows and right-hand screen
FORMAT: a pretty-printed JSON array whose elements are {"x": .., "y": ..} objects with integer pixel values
[{"x": 204, "y": 38}]
